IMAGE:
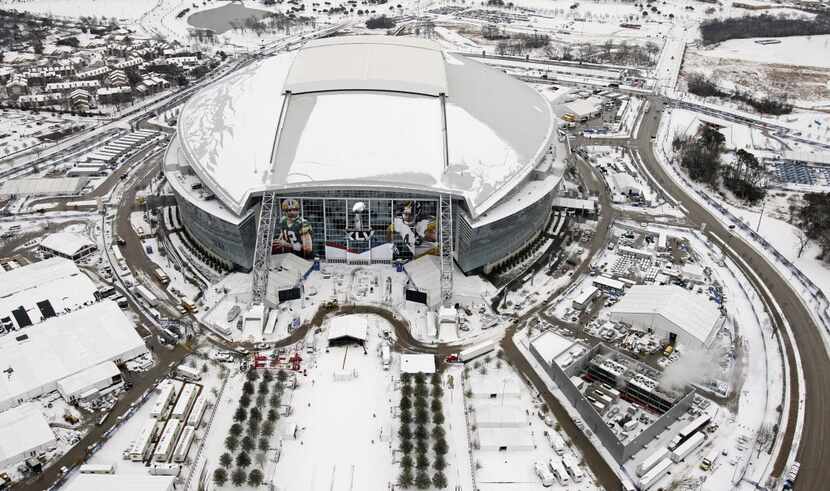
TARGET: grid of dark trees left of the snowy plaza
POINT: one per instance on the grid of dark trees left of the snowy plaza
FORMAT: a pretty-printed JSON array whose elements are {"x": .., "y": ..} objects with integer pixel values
[{"x": 254, "y": 423}]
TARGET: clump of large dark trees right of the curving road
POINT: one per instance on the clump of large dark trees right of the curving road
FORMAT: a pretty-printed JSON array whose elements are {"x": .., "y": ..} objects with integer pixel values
[{"x": 701, "y": 157}]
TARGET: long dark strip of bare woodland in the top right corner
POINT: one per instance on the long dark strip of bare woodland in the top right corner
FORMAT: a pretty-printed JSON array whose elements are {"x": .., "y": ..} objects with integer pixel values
[{"x": 764, "y": 25}]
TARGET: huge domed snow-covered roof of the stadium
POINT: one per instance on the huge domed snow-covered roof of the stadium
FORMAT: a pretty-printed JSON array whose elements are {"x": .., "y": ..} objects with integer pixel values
[{"x": 365, "y": 112}]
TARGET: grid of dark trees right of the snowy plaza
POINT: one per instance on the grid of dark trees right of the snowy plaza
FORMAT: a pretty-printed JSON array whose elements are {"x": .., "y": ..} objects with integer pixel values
[{"x": 417, "y": 409}]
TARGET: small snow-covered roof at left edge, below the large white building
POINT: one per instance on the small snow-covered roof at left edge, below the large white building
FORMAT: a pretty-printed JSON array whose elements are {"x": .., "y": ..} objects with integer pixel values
[{"x": 22, "y": 430}]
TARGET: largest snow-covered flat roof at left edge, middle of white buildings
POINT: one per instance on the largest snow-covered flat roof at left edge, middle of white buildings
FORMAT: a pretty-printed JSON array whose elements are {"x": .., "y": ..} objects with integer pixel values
[{"x": 41, "y": 355}]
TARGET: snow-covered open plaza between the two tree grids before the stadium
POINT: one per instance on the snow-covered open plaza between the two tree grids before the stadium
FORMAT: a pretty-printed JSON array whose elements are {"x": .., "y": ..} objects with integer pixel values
[{"x": 342, "y": 409}]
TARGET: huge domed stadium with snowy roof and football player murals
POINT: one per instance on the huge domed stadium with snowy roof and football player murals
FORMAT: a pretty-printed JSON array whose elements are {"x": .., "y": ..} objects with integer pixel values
[{"x": 359, "y": 139}]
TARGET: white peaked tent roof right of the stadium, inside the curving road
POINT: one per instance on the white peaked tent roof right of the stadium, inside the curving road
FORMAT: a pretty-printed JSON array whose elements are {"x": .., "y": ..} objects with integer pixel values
[{"x": 675, "y": 309}]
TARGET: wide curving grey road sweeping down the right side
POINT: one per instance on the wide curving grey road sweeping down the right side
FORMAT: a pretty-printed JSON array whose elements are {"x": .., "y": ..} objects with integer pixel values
[{"x": 814, "y": 447}]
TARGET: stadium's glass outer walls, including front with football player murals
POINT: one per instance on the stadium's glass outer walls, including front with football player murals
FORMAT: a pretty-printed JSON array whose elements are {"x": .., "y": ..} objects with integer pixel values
[{"x": 360, "y": 227}]
